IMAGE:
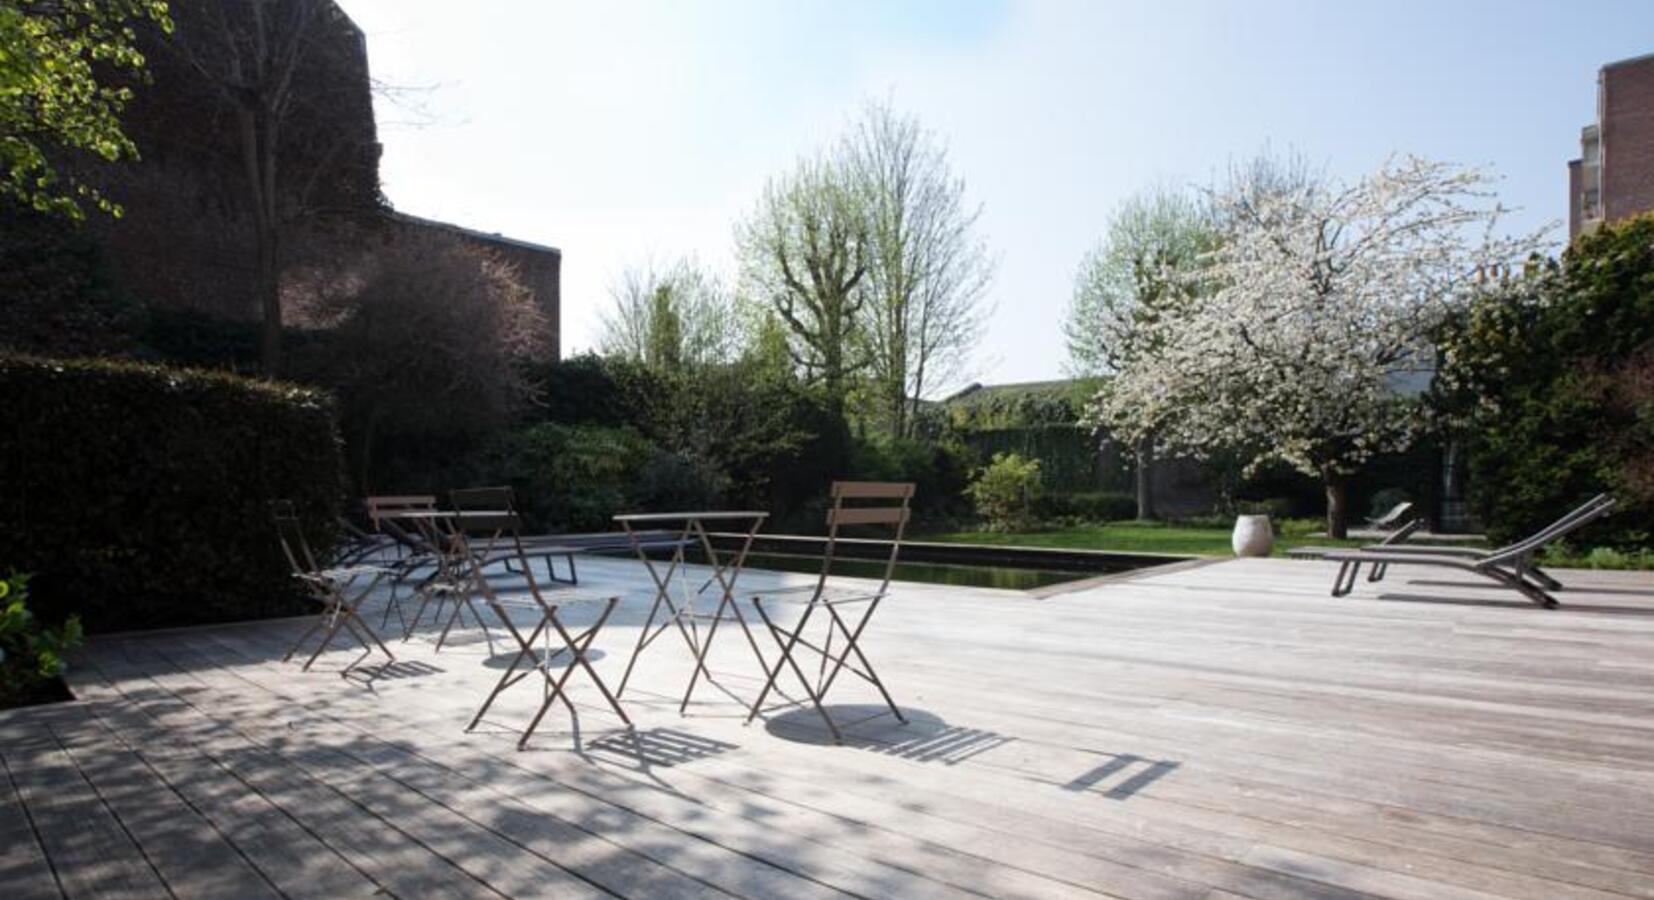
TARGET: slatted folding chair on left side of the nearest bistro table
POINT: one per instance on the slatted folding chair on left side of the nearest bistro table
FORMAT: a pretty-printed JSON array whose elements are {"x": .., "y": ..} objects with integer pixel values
[{"x": 535, "y": 649}]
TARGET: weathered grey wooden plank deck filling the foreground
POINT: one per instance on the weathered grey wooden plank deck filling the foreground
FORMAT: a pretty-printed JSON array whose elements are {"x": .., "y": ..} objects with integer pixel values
[{"x": 1215, "y": 732}]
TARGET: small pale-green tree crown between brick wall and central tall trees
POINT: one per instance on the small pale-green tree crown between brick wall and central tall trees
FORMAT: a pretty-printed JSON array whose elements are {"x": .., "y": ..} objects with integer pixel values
[{"x": 671, "y": 317}]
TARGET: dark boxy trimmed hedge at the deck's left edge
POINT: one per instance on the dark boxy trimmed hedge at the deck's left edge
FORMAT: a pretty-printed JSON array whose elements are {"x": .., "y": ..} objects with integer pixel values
[{"x": 140, "y": 495}]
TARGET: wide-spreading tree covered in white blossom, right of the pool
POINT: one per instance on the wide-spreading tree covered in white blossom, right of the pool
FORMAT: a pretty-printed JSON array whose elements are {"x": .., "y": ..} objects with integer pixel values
[{"x": 1319, "y": 305}]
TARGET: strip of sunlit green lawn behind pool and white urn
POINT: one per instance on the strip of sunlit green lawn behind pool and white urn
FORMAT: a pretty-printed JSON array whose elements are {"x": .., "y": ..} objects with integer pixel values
[{"x": 1145, "y": 537}]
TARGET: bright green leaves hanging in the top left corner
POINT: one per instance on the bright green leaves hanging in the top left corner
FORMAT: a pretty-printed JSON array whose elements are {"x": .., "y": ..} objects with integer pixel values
[{"x": 57, "y": 59}]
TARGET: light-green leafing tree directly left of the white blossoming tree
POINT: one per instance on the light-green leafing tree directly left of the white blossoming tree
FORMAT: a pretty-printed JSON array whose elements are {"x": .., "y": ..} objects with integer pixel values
[{"x": 1135, "y": 277}]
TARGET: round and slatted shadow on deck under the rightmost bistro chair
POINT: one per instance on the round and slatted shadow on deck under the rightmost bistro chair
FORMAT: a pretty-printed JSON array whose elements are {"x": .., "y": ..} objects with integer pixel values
[{"x": 925, "y": 739}]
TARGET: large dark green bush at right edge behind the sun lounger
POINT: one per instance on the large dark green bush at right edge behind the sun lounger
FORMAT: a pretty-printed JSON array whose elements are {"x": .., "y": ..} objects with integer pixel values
[{"x": 1537, "y": 376}]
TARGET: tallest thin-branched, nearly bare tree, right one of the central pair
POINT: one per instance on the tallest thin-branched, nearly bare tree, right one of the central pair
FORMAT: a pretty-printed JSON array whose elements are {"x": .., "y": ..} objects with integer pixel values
[{"x": 927, "y": 267}]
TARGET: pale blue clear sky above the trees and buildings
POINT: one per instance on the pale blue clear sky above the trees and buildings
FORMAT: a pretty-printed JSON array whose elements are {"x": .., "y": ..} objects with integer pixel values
[{"x": 621, "y": 132}]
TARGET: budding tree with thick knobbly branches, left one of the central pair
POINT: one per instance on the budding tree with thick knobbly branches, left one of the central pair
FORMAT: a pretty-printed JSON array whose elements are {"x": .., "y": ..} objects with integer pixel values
[{"x": 805, "y": 251}]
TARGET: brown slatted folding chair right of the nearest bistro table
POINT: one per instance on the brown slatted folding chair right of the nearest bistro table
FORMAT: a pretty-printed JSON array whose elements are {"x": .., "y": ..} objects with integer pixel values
[{"x": 838, "y": 605}]
